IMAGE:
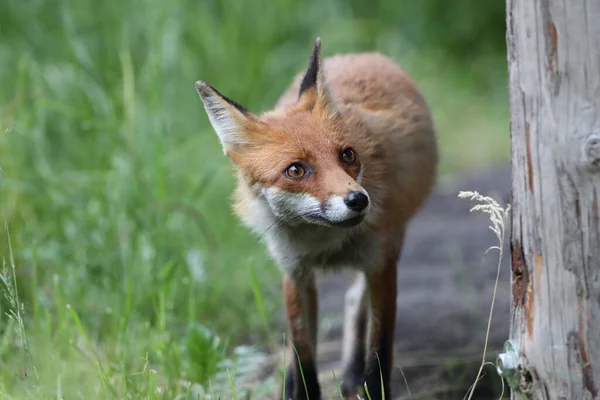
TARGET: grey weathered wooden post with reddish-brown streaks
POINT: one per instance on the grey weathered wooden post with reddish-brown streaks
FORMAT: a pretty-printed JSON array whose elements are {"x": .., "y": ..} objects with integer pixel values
[{"x": 554, "y": 74}]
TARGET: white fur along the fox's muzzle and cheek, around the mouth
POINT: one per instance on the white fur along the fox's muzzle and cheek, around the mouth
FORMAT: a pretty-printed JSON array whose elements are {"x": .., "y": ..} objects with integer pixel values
[{"x": 295, "y": 208}]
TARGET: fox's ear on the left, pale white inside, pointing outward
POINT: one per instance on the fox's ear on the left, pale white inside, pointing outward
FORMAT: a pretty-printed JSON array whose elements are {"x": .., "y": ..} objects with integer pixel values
[{"x": 229, "y": 119}]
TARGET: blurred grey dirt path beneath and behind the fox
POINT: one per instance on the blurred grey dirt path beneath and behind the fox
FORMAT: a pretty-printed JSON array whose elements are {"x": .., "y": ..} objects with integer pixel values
[{"x": 445, "y": 290}]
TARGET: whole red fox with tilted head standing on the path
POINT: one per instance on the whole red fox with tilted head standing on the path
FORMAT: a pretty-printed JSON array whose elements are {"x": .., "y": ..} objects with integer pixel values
[{"x": 329, "y": 178}]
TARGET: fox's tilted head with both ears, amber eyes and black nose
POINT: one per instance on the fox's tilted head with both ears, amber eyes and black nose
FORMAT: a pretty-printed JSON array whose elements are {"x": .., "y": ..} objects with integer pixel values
[{"x": 300, "y": 162}]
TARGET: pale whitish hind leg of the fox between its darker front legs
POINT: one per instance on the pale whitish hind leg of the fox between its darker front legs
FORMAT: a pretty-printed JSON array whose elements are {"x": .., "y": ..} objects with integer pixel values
[{"x": 355, "y": 330}]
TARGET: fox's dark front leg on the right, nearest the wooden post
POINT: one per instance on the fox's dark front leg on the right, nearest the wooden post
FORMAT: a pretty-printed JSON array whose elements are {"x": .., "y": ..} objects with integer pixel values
[{"x": 382, "y": 288}]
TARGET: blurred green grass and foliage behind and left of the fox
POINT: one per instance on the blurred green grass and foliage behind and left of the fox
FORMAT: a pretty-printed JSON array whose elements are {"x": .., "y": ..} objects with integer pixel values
[{"x": 124, "y": 268}]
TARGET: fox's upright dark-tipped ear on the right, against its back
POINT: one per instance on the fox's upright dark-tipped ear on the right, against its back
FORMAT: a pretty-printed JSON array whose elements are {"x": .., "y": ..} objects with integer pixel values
[{"x": 314, "y": 90}]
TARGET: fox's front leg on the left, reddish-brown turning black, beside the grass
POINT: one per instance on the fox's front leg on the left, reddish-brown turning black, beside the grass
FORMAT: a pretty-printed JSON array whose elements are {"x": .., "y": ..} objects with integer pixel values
[{"x": 301, "y": 381}]
